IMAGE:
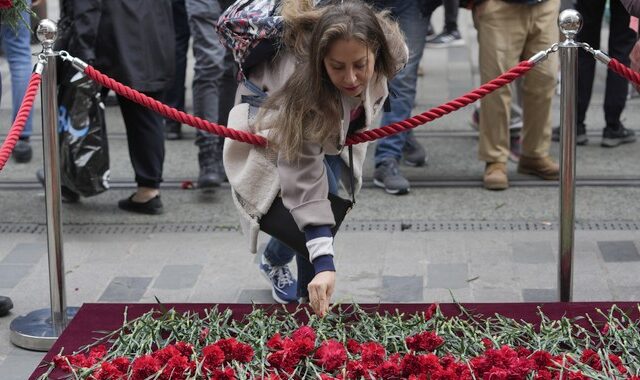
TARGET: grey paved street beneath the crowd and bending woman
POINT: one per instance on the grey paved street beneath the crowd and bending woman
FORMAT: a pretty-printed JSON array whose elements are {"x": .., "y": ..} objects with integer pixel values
[{"x": 435, "y": 245}]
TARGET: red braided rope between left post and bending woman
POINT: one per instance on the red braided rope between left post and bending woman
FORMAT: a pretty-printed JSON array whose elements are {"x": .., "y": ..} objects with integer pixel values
[{"x": 171, "y": 112}]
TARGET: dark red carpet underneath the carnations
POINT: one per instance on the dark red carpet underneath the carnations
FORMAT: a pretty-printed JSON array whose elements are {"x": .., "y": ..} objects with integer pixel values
[{"x": 107, "y": 317}]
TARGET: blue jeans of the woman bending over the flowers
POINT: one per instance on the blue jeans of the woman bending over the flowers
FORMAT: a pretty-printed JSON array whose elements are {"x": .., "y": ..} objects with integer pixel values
[{"x": 279, "y": 254}]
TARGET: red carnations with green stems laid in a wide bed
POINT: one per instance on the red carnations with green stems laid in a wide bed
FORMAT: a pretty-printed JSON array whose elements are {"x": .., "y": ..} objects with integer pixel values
[{"x": 352, "y": 343}]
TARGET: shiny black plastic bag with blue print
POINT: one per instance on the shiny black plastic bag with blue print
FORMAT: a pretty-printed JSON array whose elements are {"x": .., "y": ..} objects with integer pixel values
[{"x": 84, "y": 149}]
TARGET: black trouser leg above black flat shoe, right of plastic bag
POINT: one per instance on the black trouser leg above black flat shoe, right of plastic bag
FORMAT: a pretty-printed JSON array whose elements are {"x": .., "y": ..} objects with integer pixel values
[{"x": 145, "y": 140}]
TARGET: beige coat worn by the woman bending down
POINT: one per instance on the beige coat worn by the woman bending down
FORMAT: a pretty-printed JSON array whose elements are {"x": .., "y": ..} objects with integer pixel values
[{"x": 256, "y": 175}]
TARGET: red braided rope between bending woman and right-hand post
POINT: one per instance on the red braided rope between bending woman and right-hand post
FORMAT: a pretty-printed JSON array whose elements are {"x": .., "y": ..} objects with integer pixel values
[{"x": 437, "y": 112}]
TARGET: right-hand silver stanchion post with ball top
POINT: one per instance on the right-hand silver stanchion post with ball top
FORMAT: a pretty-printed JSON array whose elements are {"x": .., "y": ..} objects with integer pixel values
[{"x": 570, "y": 23}]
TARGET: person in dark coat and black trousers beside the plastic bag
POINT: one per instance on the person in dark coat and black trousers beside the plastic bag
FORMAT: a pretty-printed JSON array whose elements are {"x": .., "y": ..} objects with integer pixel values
[{"x": 108, "y": 35}]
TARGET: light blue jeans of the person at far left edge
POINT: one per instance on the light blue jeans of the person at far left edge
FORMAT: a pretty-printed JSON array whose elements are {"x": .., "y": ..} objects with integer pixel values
[{"x": 17, "y": 47}]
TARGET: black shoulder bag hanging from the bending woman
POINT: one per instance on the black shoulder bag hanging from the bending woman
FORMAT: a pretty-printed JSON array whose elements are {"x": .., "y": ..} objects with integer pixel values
[{"x": 279, "y": 223}]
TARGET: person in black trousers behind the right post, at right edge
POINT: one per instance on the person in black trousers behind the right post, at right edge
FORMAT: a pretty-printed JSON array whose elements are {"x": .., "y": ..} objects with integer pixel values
[{"x": 621, "y": 41}]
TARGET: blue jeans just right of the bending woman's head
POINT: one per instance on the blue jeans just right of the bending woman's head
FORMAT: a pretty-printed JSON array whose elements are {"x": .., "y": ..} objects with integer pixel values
[{"x": 403, "y": 86}]
